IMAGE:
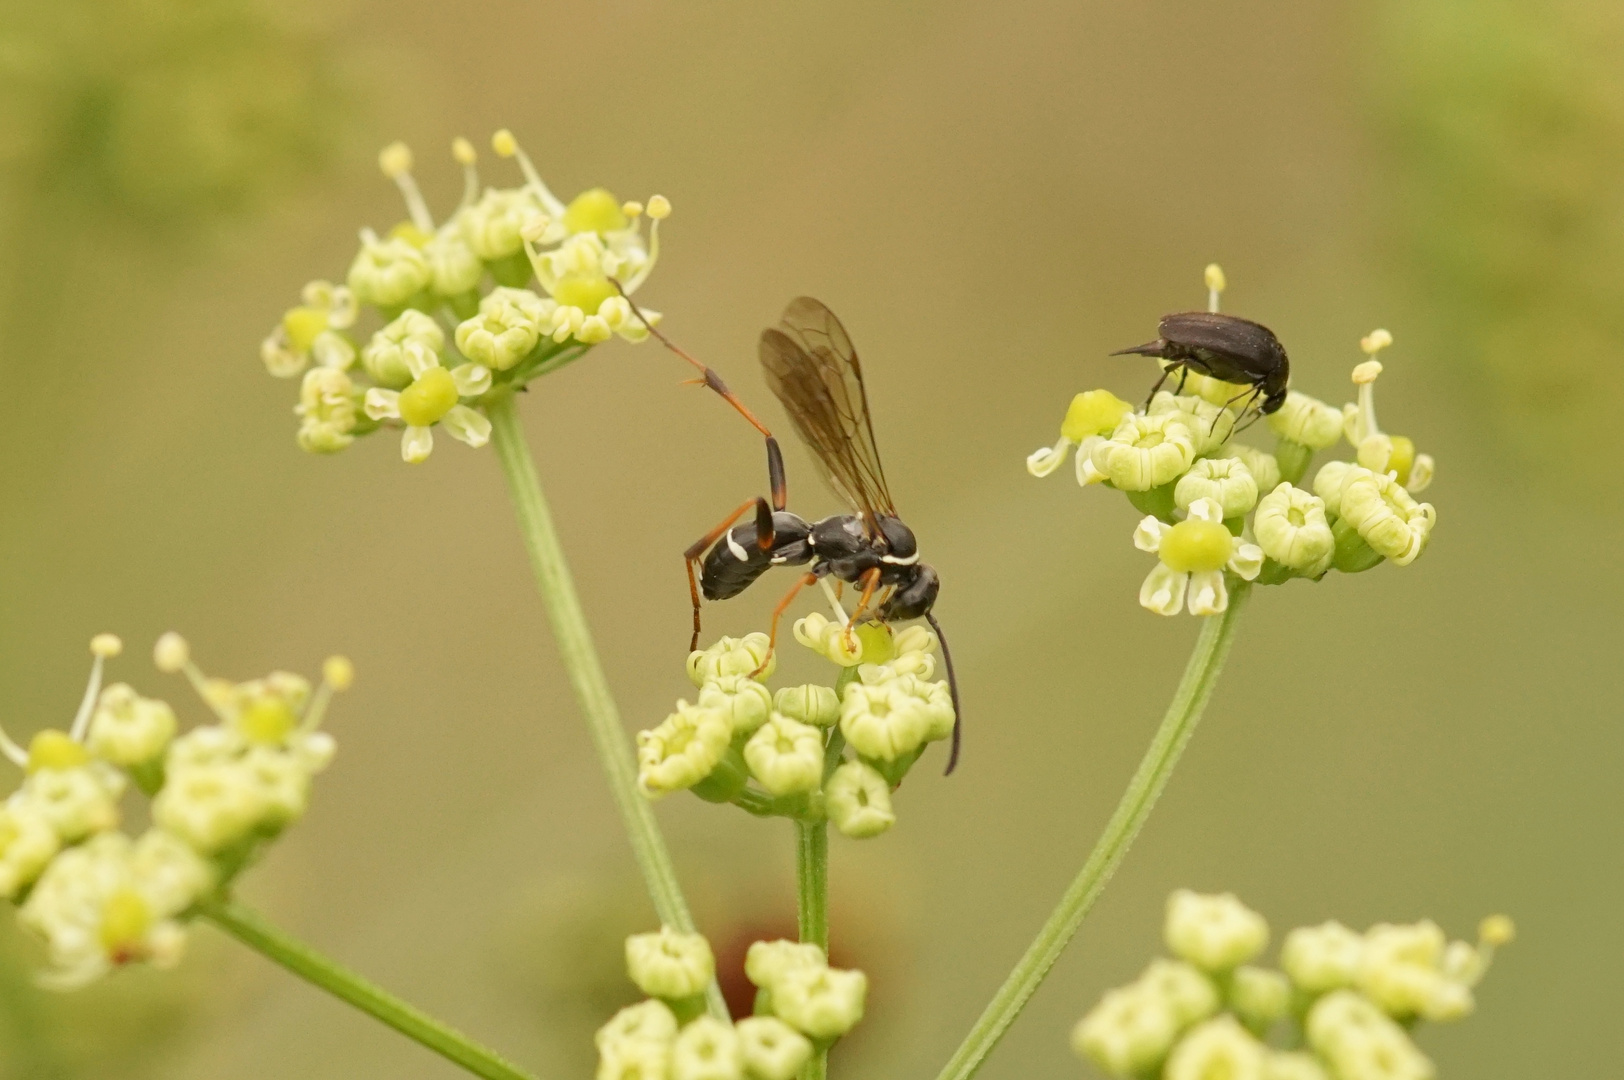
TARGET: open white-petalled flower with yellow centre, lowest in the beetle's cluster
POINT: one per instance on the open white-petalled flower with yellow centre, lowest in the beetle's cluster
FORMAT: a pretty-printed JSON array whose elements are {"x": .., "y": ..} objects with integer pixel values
[{"x": 1193, "y": 558}]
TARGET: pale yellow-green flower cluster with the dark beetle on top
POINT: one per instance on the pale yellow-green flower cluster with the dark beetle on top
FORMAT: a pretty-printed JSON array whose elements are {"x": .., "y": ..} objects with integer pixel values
[{"x": 1220, "y": 511}]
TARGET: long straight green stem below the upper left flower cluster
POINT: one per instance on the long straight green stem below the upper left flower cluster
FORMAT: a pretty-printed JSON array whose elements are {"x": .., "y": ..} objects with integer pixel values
[{"x": 587, "y": 675}]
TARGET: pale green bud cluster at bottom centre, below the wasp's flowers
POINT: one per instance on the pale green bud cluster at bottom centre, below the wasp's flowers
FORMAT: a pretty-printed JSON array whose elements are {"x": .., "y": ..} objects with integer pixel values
[{"x": 801, "y": 1004}]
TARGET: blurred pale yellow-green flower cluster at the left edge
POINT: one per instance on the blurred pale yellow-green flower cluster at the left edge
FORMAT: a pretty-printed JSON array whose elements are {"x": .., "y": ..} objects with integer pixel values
[{"x": 100, "y": 899}]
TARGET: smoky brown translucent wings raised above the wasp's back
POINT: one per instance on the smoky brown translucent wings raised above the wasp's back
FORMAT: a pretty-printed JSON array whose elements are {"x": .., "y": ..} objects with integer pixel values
[{"x": 814, "y": 371}]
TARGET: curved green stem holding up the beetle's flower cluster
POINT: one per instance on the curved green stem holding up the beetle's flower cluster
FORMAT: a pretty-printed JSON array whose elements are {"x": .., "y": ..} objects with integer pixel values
[{"x": 1185, "y": 712}]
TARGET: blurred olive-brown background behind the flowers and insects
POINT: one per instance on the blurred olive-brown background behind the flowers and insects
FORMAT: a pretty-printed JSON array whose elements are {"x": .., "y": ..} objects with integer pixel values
[{"x": 993, "y": 199}]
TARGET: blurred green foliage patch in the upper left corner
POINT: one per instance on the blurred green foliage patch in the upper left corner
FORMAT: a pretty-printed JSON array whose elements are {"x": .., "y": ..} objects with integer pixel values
[{"x": 165, "y": 113}]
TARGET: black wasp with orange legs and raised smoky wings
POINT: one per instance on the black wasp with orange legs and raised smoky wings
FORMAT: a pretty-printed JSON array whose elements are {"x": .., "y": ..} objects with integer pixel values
[{"x": 814, "y": 371}]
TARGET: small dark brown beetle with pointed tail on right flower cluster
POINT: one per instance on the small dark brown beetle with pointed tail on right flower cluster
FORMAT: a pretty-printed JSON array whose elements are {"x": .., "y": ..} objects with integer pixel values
[{"x": 1225, "y": 348}]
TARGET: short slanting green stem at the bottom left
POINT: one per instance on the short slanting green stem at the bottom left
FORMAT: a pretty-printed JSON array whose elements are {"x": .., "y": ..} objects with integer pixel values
[{"x": 345, "y": 985}]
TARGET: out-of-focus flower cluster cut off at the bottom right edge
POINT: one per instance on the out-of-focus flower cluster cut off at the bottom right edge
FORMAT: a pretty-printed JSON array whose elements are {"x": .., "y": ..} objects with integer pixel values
[{"x": 1344, "y": 1003}]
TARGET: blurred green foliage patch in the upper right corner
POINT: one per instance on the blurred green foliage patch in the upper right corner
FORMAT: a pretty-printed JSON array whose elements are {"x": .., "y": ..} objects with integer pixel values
[{"x": 1506, "y": 129}]
